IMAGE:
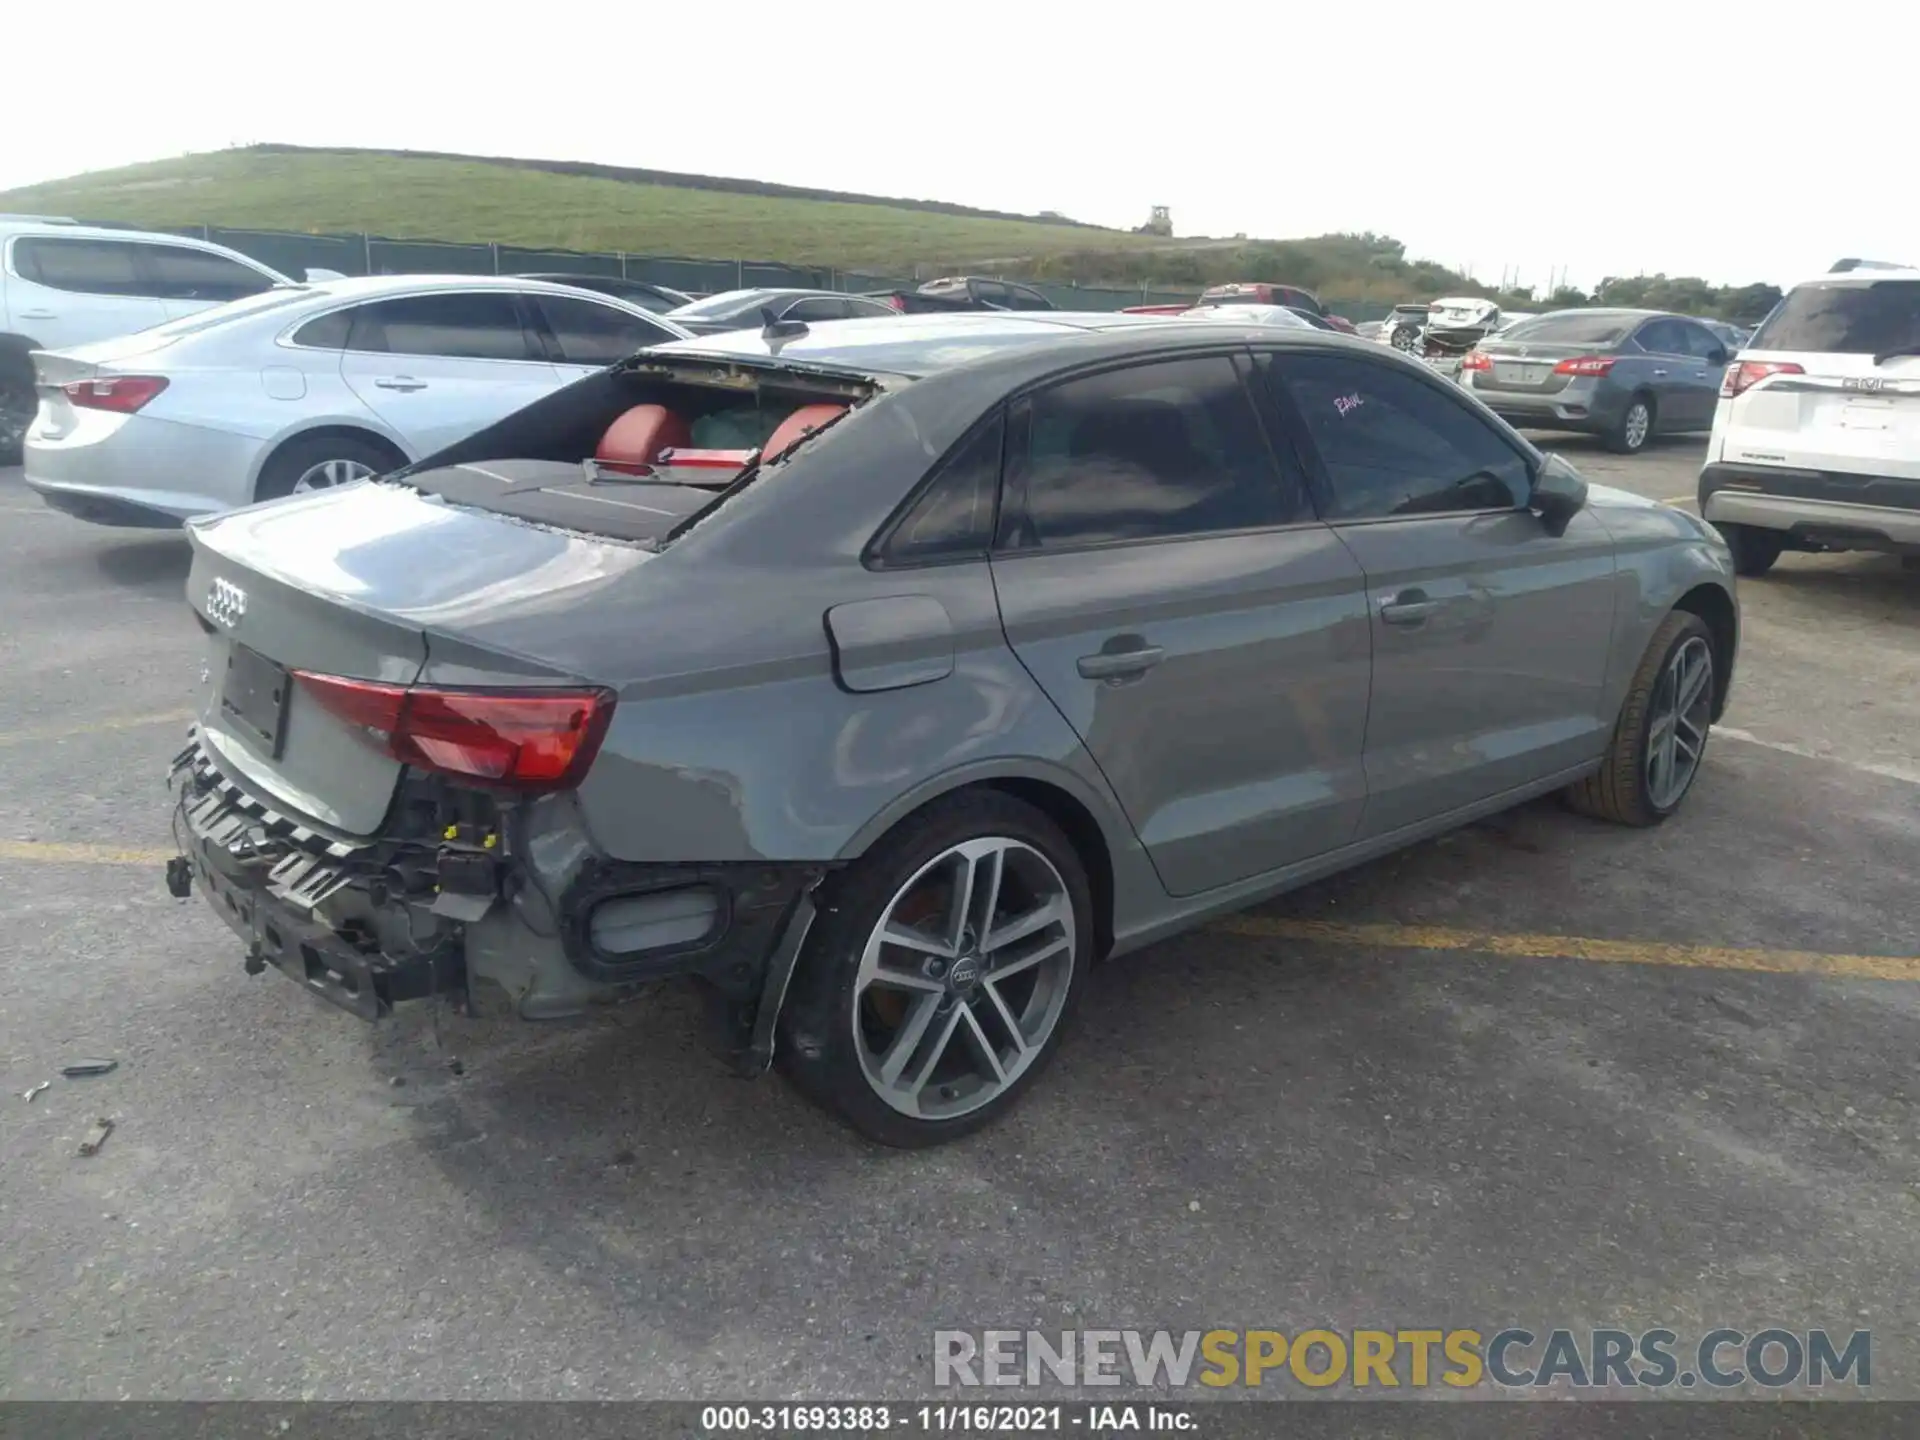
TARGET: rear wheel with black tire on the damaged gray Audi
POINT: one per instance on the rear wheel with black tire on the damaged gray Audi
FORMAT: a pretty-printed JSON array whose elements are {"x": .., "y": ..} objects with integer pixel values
[{"x": 942, "y": 972}]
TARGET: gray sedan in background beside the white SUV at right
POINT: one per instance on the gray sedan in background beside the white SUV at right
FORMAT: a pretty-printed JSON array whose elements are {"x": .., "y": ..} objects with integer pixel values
[{"x": 1623, "y": 375}]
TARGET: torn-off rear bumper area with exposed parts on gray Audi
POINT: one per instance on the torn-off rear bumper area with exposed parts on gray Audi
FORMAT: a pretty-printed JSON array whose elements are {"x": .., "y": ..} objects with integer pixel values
[{"x": 458, "y": 903}]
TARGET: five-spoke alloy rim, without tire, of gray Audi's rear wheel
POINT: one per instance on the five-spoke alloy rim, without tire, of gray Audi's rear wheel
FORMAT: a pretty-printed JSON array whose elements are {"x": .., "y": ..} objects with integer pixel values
[{"x": 963, "y": 982}]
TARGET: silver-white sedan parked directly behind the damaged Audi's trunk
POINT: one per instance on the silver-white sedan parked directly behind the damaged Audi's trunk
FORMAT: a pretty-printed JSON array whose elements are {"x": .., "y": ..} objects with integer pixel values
[{"x": 308, "y": 387}]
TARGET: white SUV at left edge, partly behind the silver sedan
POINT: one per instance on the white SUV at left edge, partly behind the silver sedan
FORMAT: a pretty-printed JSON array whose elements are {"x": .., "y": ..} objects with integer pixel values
[{"x": 68, "y": 285}]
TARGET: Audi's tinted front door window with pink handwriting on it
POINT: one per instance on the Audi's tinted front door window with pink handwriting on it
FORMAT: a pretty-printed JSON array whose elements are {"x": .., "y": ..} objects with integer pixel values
[{"x": 1395, "y": 444}]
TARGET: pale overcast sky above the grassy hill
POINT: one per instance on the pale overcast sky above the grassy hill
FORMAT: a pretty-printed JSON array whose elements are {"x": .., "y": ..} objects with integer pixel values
[{"x": 1739, "y": 143}]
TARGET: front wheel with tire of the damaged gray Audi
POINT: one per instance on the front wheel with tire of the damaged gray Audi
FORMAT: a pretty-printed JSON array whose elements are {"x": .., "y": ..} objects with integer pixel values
[{"x": 1662, "y": 734}]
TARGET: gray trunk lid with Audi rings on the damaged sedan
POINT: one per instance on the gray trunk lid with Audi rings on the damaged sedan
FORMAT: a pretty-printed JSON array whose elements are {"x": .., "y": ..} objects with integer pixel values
[{"x": 368, "y": 583}]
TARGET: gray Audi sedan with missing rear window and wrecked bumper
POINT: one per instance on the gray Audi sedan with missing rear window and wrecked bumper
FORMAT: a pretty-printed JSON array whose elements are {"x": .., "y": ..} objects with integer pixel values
[{"x": 884, "y": 677}]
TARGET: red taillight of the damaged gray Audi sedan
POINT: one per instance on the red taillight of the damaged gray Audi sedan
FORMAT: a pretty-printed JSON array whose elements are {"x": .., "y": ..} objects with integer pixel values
[{"x": 523, "y": 740}]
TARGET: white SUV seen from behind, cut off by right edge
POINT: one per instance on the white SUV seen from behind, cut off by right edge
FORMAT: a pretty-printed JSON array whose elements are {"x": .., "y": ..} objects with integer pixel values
[{"x": 1817, "y": 435}]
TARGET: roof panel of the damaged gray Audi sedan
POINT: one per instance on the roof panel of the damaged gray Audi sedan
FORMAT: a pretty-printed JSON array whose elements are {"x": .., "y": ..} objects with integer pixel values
[{"x": 917, "y": 347}]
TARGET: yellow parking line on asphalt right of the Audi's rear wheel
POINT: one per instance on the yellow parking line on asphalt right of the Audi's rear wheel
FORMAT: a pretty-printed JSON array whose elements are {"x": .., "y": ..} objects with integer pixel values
[{"x": 1575, "y": 948}]
